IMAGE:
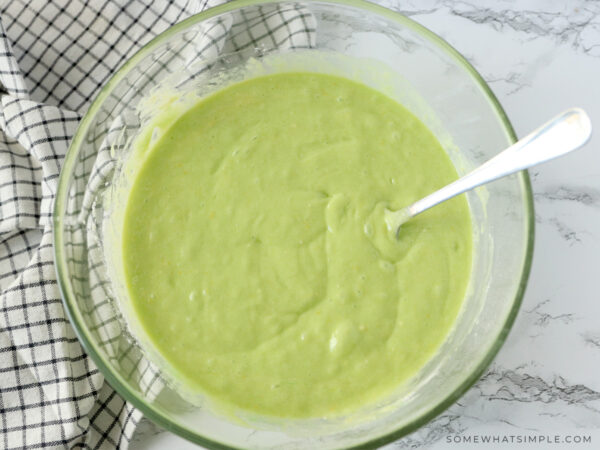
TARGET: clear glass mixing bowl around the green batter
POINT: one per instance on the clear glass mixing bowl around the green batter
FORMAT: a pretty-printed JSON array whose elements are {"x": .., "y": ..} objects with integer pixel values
[{"x": 353, "y": 38}]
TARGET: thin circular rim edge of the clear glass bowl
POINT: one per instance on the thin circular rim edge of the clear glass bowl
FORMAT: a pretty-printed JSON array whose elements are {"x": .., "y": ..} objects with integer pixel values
[{"x": 115, "y": 379}]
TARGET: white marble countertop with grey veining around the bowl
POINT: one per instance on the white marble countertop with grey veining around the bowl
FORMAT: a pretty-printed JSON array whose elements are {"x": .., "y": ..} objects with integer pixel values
[{"x": 540, "y": 57}]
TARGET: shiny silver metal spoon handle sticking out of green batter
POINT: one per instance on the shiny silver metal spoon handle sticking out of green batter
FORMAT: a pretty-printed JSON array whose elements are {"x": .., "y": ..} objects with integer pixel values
[{"x": 566, "y": 132}]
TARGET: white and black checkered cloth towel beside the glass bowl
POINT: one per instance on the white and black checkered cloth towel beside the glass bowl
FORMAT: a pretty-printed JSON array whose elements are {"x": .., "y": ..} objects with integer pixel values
[{"x": 54, "y": 57}]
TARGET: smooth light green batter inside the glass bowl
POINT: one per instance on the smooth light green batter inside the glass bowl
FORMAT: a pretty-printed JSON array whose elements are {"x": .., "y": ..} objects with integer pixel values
[{"x": 256, "y": 254}]
